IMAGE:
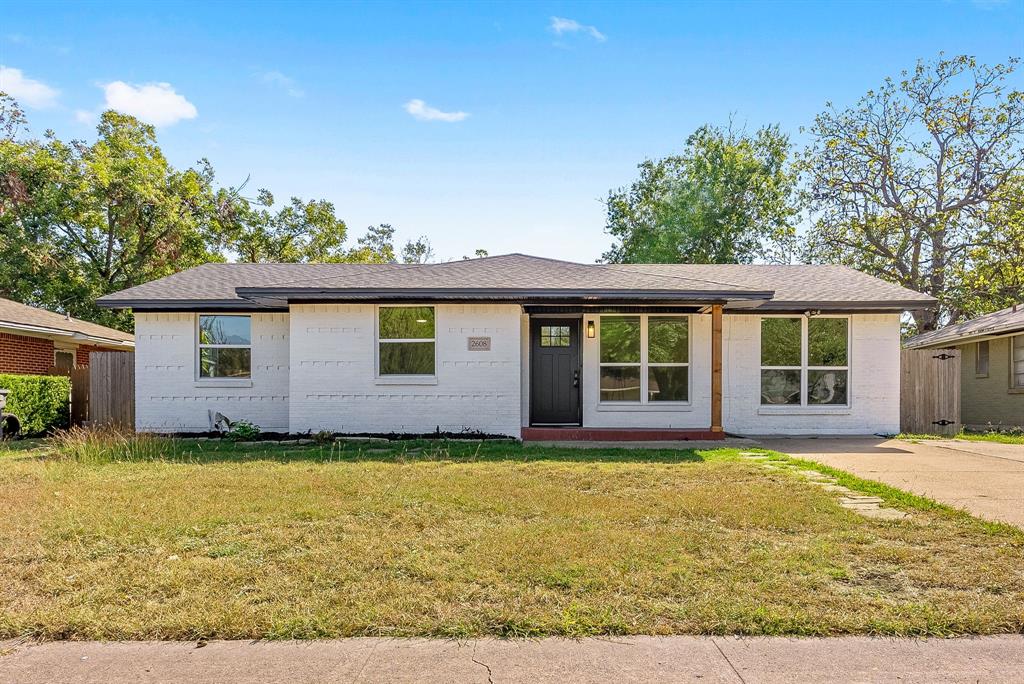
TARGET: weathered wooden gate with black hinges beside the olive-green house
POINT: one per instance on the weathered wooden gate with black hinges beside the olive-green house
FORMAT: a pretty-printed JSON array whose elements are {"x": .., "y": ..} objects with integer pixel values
[{"x": 930, "y": 399}]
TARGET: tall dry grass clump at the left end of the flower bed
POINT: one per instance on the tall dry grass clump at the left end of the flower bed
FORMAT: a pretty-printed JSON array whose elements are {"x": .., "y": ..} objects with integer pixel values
[{"x": 110, "y": 444}]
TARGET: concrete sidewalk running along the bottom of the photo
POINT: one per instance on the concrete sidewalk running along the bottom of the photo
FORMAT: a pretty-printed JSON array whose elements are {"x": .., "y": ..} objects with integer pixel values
[{"x": 617, "y": 660}]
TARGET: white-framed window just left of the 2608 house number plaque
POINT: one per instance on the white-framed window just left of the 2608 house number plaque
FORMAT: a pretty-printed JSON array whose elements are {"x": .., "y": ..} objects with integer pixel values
[{"x": 406, "y": 340}]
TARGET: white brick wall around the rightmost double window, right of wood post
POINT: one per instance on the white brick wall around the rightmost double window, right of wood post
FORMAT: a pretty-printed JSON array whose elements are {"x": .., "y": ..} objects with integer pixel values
[{"x": 875, "y": 380}]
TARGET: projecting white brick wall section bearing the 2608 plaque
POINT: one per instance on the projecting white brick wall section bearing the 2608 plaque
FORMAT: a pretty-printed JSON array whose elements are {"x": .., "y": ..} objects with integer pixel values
[{"x": 334, "y": 384}]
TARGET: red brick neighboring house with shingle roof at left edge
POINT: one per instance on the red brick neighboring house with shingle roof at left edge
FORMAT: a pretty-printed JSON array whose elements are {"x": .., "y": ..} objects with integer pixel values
[{"x": 34, "y": 340}]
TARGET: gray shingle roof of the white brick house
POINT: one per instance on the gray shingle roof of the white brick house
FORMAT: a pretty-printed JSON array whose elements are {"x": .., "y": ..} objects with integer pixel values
[{"x": 518, "y": 277}]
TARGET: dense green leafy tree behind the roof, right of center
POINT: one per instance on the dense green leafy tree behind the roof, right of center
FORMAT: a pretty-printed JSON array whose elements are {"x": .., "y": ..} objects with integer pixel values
[{"x": 728, "y": 198}]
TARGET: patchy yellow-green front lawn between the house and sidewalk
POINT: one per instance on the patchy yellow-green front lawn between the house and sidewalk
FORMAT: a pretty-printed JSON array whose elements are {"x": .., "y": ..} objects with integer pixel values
[{"x": 467, "y": 539}]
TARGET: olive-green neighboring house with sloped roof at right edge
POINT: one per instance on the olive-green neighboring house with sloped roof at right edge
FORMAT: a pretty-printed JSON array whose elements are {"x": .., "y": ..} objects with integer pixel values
[{"x": 992, "y": 366}]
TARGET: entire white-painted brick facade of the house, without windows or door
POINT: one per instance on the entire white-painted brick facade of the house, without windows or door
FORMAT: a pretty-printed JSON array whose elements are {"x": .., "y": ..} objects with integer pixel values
[{"x": 316, "y": 370}]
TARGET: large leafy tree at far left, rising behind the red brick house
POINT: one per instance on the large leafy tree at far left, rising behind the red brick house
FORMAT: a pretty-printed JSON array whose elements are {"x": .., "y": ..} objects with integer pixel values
[{"x": 78, "y": 221}]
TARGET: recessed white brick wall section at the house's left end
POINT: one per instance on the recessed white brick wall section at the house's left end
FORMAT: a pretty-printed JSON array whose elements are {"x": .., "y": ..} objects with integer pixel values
[{"x": 170, "y": 399}]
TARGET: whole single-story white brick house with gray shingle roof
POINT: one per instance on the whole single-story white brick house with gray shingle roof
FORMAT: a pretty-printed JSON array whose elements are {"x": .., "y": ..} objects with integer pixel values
[{"x": 521, "y": 347}]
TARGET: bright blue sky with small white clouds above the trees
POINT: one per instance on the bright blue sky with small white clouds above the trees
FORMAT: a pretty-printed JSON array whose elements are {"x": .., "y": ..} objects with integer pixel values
[{"x": 482, "y": 125}]
